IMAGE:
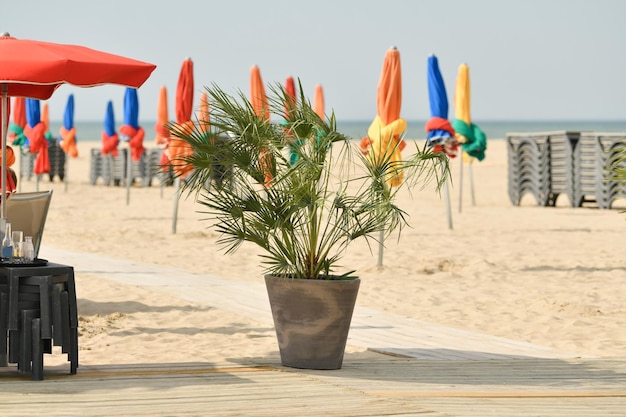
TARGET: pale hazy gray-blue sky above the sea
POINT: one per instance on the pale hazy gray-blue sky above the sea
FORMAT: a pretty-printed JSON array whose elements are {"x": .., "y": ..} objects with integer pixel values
[{"x": 528, "y": 59}]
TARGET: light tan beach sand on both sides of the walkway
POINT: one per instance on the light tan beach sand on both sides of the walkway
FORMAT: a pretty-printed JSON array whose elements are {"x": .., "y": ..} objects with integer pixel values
[{"x": 547, "y": 275}]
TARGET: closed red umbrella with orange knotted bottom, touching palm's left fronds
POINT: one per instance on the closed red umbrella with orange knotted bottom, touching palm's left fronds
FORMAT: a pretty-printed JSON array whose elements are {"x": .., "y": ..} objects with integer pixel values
[{"x": 179, "y": 149}]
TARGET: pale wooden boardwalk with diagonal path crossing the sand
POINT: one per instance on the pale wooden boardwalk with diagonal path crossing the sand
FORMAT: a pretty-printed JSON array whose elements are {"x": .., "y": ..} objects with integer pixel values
[{"x": 430, "y": 370}]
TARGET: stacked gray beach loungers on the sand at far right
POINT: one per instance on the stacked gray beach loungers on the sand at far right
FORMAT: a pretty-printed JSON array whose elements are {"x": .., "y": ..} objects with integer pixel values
[{"x": 548, "y": 164}]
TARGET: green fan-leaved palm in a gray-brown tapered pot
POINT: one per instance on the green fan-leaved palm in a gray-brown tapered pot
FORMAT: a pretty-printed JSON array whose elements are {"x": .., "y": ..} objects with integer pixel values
[{"x": 303, "y": 210}]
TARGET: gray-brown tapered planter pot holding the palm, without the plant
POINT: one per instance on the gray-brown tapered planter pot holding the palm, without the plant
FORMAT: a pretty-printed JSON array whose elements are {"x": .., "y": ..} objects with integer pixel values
[{"x": 312, "y": 319}]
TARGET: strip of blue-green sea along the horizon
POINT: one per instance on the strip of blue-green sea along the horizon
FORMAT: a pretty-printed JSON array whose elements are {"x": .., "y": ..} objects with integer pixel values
[{"x": 91, "y": 131}]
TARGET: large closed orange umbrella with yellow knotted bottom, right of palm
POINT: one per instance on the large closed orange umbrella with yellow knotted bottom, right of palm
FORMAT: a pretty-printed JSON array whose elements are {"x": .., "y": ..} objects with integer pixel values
[{"x": 383, "y": 141}]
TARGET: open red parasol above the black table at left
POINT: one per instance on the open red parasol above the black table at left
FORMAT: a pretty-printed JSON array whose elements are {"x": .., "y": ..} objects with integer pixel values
[{"x": 30, "y": 68}]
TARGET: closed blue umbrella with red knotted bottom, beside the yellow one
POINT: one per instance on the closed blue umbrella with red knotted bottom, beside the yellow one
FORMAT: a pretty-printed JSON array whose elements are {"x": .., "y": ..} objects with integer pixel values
[{"x": 440, "y": 133}]
